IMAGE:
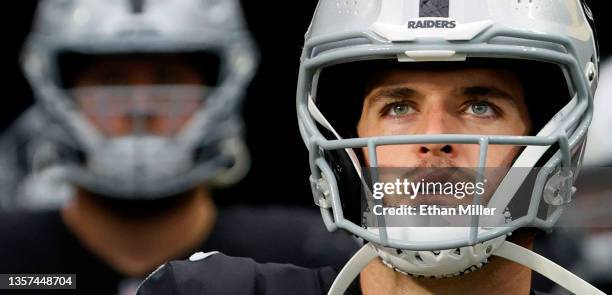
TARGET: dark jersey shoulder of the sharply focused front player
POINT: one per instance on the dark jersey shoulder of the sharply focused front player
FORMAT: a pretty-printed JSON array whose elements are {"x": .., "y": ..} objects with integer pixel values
[{"x": 216, "y": 273}]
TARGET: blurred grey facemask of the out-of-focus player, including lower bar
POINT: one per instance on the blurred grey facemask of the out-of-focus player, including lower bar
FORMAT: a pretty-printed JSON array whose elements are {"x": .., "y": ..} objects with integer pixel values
[{"x": 217, "y": 125}]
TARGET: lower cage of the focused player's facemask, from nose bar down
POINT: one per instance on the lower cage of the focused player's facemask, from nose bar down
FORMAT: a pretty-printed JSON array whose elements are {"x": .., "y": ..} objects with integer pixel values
[{"x": 322, "y": 170}]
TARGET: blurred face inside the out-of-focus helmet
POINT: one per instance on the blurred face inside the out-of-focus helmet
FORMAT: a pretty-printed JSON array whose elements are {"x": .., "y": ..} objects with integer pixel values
[{"x": 144, "y": 103}]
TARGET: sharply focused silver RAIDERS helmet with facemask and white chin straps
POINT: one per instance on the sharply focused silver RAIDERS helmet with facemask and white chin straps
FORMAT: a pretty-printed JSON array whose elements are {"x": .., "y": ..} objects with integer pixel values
[{"x": 348, "y": 39}]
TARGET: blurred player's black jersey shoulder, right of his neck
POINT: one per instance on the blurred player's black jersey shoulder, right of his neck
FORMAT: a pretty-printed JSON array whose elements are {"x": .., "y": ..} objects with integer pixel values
[{"x": 299, "y": 237}]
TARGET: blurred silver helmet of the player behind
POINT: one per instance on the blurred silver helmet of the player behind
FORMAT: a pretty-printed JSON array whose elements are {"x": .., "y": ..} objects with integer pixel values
[{"x": 201, "y": 134}]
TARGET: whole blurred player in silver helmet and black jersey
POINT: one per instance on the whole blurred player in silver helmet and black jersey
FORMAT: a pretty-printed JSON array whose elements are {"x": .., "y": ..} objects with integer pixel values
[{"x": 143, "y": 103}]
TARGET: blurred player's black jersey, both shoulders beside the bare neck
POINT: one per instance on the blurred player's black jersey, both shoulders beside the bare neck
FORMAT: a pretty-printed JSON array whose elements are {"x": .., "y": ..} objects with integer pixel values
[{"x": 38, "y": 243}]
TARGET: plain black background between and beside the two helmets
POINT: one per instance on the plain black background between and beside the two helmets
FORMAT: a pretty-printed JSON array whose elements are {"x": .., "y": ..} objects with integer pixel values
[{"x": 279, "y": 172}]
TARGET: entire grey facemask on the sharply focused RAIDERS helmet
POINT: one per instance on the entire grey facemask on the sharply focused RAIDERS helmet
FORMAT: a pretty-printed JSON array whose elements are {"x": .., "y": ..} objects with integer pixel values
[{"x": 567, "y": 136}]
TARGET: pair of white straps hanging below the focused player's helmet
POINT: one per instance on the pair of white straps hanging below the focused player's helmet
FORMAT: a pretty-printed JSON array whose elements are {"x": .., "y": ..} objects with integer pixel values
[{"x": 508, "y": 250}]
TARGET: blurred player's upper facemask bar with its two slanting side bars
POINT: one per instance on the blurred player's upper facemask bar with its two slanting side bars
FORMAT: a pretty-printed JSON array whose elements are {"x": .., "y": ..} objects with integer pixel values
[{"x": 236, "y": 70}]
